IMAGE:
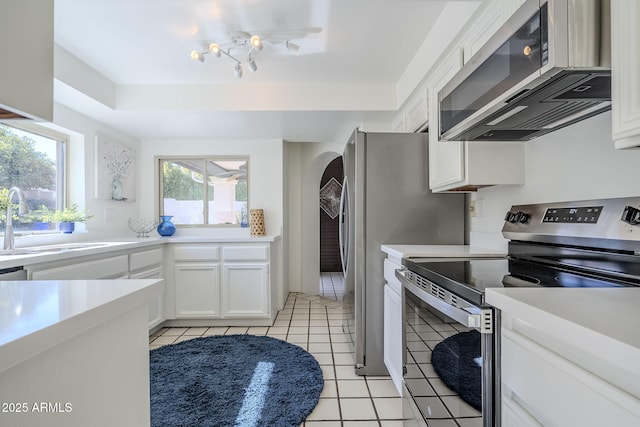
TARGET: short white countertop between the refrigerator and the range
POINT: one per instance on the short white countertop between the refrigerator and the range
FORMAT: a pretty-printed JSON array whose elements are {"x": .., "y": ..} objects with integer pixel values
[{"x": 439, "y": 251}]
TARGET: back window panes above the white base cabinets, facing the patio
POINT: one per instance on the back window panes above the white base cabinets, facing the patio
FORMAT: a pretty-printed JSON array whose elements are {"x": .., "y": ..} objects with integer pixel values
[{"x": 187, "y": 182}]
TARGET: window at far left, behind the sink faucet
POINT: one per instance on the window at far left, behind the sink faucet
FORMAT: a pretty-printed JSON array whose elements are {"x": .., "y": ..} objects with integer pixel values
[{"x": 32, "y": 159}]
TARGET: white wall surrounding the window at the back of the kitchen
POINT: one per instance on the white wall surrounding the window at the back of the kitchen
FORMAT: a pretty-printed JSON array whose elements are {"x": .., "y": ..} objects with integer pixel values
[{"x": 265, "y": 175}]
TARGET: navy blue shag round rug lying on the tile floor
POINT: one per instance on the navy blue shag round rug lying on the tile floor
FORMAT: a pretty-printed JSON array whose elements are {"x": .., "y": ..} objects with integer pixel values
[{"x": 233, "y": 380}]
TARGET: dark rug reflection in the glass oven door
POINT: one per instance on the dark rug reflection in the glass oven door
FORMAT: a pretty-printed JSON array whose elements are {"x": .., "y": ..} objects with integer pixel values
[{"x": 457, "y": 360}]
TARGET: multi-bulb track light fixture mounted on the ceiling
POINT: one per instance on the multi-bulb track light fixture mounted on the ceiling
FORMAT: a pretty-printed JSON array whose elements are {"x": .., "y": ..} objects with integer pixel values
[{"x": 242, "y": 44}]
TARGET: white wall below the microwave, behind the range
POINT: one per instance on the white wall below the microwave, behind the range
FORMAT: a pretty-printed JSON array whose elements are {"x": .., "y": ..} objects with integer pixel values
[{"x": 574, "y": 163}]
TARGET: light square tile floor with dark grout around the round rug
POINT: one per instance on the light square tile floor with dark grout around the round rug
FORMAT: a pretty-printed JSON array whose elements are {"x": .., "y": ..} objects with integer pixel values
[{"x": 315, "y": 324}]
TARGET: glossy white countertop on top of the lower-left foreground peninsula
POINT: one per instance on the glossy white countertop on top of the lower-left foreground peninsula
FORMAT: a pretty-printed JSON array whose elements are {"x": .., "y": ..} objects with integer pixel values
[{"x": 37, "y": 315}]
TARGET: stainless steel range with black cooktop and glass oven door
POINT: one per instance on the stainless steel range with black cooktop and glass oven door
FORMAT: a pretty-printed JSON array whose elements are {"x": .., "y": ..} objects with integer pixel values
[{"x": 594, "y": 243}]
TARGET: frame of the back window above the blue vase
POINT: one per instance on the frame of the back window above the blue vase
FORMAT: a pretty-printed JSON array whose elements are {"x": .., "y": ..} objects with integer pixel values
[{"x": 204, "y": 158}]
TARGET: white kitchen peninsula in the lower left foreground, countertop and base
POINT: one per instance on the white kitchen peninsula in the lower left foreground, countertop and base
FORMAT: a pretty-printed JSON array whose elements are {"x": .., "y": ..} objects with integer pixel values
[{"x": 69, "y": 348}]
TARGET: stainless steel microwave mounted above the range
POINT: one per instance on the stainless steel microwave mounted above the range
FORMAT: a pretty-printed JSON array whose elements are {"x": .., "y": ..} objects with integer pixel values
[{"x": 547, "y": 67}]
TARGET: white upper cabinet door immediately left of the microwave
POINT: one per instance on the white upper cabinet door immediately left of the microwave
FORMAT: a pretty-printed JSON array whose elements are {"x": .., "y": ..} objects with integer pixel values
[{"x": 445, "y": 158}]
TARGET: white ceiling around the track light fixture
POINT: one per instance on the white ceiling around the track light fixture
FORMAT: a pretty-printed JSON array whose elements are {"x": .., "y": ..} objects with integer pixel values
[{"x": 353, "y": 53}]
